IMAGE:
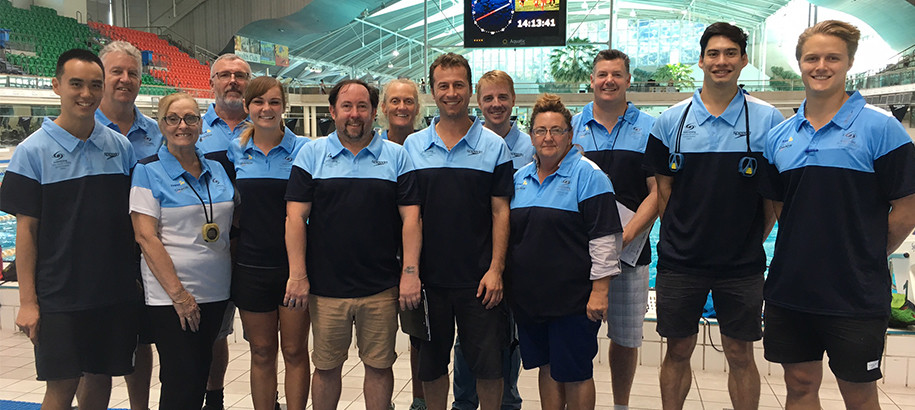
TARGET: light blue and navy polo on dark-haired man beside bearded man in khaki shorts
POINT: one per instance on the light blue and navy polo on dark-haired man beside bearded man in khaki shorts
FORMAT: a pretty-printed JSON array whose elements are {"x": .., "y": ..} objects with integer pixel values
[{"x": 457, "y": 187}]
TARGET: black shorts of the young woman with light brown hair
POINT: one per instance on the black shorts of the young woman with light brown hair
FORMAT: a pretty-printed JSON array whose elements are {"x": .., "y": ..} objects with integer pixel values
[{"x": 259, "y": 289}]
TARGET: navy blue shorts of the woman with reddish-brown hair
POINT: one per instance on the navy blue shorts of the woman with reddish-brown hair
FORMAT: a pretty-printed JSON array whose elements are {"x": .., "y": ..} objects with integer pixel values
[{"x": 568, "y": 344}]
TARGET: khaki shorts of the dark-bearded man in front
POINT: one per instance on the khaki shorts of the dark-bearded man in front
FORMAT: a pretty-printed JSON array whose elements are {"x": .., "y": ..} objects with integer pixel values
[{"x": 332, "y": 322}]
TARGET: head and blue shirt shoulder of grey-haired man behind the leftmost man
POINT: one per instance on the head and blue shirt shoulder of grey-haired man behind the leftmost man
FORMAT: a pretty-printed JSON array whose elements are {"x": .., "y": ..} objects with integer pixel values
[{"x": 118, "y": 111}]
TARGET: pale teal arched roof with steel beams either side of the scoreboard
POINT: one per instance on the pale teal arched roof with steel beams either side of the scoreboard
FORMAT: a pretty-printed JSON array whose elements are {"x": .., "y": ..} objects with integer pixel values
[{"x": 334, "y": 39}]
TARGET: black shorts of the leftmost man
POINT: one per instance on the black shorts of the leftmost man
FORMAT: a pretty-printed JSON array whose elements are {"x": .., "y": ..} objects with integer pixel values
[{"x": 97, "y": 341}]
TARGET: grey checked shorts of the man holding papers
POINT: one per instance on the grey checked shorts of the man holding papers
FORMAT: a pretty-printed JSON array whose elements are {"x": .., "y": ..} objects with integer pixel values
[{"x": 627, "y": 306}]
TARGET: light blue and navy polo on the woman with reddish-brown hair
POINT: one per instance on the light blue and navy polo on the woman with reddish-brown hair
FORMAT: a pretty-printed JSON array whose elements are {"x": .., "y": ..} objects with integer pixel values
[{"x": 551, "y": 227}]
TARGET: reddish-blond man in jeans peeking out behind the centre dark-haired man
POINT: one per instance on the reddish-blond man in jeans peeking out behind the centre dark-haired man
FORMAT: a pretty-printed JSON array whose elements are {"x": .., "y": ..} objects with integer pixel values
[{"x": 496, "y": 98}]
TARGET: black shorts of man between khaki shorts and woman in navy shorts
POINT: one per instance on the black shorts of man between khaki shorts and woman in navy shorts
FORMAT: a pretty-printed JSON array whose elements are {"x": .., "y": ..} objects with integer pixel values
[{"x": 484, "y": 334}]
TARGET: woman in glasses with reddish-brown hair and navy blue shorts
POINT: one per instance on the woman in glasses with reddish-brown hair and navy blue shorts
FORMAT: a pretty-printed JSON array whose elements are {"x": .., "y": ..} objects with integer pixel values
[{"x": 563, "y": 249}]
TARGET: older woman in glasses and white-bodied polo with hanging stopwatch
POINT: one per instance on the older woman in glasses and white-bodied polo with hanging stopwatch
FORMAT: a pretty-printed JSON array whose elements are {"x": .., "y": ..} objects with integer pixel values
[{"x": 182, "y": 208}]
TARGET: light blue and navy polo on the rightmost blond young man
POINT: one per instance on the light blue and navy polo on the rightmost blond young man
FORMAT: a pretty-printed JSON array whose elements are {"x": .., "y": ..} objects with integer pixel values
[{"x": 836, "y": 184}]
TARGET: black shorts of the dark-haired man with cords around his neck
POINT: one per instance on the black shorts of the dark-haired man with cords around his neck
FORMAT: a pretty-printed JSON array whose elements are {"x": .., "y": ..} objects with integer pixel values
[{"x": 681, "y": 297}]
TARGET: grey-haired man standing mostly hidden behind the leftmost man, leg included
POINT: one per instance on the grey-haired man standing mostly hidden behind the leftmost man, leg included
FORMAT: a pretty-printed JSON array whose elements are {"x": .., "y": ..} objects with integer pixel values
[{"x": 118, "y": 111}]
